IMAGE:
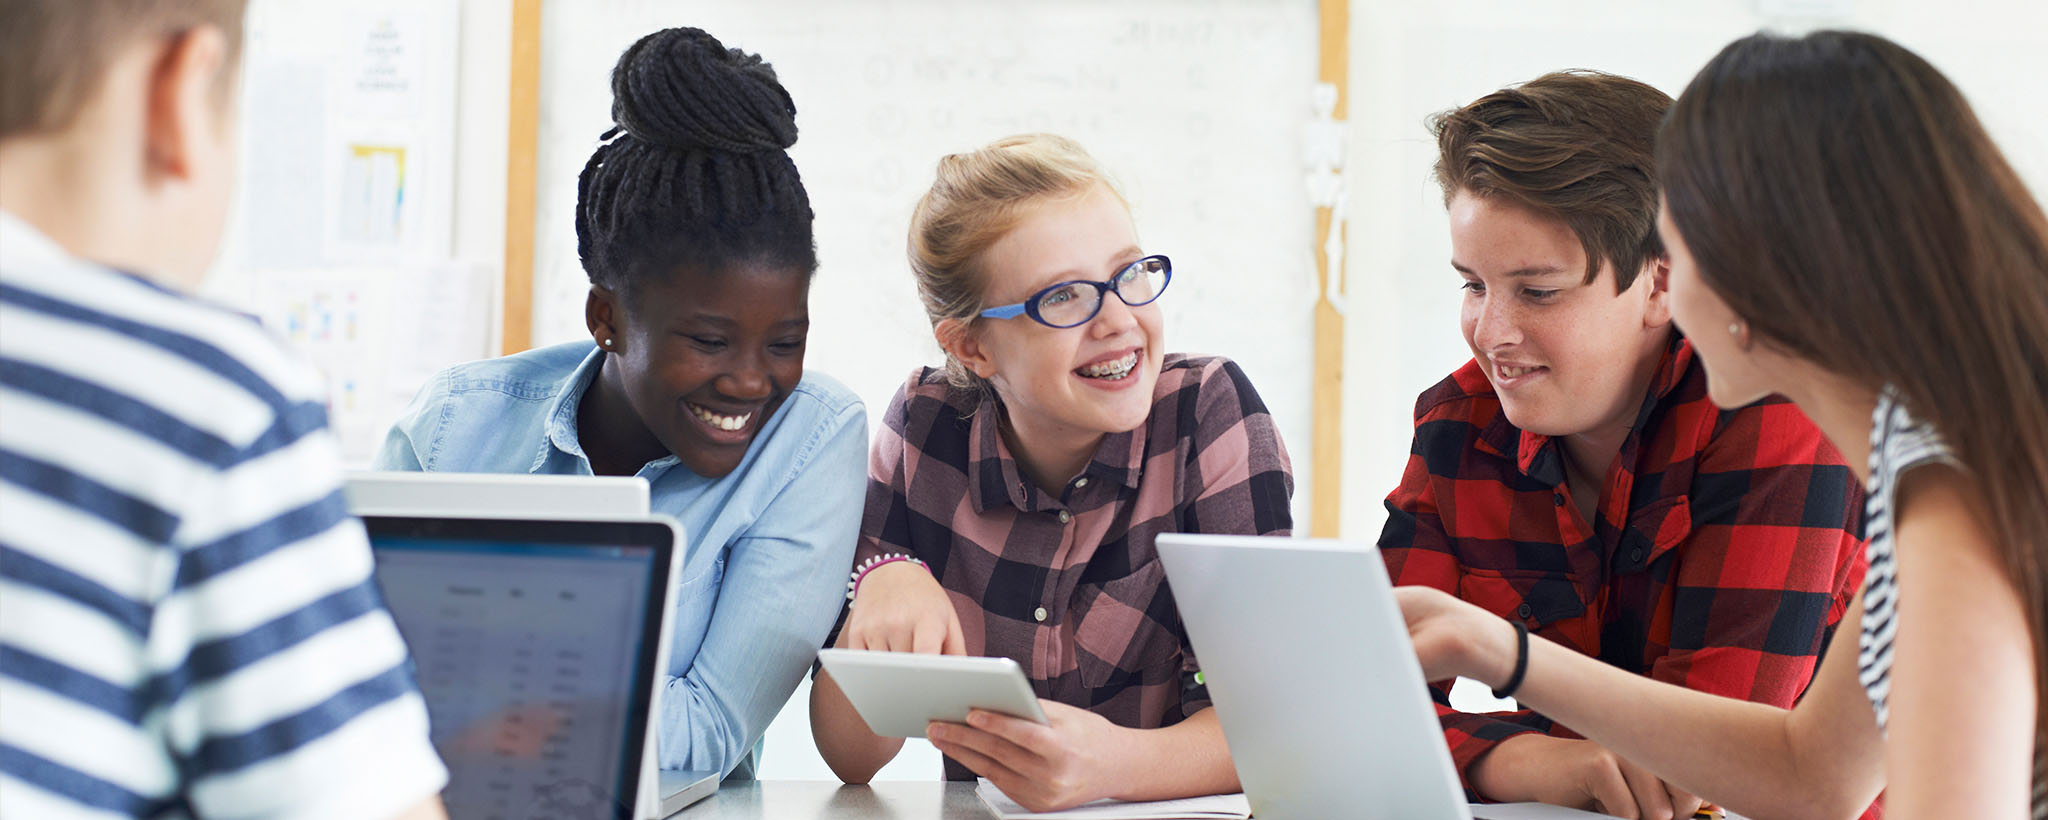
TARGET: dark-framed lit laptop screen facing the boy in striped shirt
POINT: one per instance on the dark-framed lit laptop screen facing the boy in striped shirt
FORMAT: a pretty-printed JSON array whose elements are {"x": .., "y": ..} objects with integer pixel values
[{"x": 540, "y": 647}]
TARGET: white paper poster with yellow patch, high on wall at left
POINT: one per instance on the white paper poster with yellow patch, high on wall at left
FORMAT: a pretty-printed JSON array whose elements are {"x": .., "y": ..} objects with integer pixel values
[{"x": 349, "y": 136}]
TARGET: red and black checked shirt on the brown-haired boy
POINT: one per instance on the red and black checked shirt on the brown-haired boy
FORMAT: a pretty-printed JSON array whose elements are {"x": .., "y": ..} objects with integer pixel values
[{"x": 1723, "y": 555}]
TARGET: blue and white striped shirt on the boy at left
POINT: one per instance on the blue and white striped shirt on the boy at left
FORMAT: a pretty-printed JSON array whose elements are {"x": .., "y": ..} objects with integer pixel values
[{"x": 187, "y": 614}]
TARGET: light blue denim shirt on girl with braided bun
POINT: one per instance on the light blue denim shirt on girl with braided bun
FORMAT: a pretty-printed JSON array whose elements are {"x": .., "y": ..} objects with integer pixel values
[{"x": 769, "y": 546}]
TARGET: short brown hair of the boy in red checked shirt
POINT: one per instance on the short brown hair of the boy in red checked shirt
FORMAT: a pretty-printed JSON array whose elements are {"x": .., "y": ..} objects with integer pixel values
[{"x": 1572, "y": 145}]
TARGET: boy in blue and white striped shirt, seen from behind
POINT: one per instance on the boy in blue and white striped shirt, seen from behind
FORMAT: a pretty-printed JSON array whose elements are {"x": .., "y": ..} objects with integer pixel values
[{"x": 187, "y": 614}]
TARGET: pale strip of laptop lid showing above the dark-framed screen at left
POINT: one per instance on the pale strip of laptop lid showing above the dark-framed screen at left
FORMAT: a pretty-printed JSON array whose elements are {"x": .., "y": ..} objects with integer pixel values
[{"x": 495, "y": 495}]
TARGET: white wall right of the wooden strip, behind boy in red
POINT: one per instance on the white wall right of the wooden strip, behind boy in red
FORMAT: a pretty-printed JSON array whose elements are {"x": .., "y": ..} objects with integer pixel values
[{"x": 1412, "y": 60}]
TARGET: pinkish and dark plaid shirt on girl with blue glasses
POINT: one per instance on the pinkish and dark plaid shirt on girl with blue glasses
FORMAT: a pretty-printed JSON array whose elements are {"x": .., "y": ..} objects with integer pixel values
[{"x": 1070, "y": 585}]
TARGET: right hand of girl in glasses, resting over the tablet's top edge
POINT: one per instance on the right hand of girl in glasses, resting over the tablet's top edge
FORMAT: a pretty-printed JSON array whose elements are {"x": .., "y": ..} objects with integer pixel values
[{"x": 900, "y": 608}]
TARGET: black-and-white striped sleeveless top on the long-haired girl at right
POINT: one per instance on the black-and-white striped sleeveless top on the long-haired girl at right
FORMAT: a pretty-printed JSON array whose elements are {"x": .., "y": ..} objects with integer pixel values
[{"x": 1900, "y": 444}]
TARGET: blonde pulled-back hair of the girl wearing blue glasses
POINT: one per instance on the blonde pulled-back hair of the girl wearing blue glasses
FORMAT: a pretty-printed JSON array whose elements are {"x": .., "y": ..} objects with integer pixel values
[{"x": 978, "y": 200}]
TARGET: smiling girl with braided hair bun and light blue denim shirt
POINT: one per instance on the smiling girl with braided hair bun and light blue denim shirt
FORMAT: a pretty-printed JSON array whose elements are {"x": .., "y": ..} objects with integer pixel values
[{"x": 695, "y": 231}]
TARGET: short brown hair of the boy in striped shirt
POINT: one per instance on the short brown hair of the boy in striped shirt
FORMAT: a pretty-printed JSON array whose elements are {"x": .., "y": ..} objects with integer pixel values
[{"x": 54, "y": 52}]
